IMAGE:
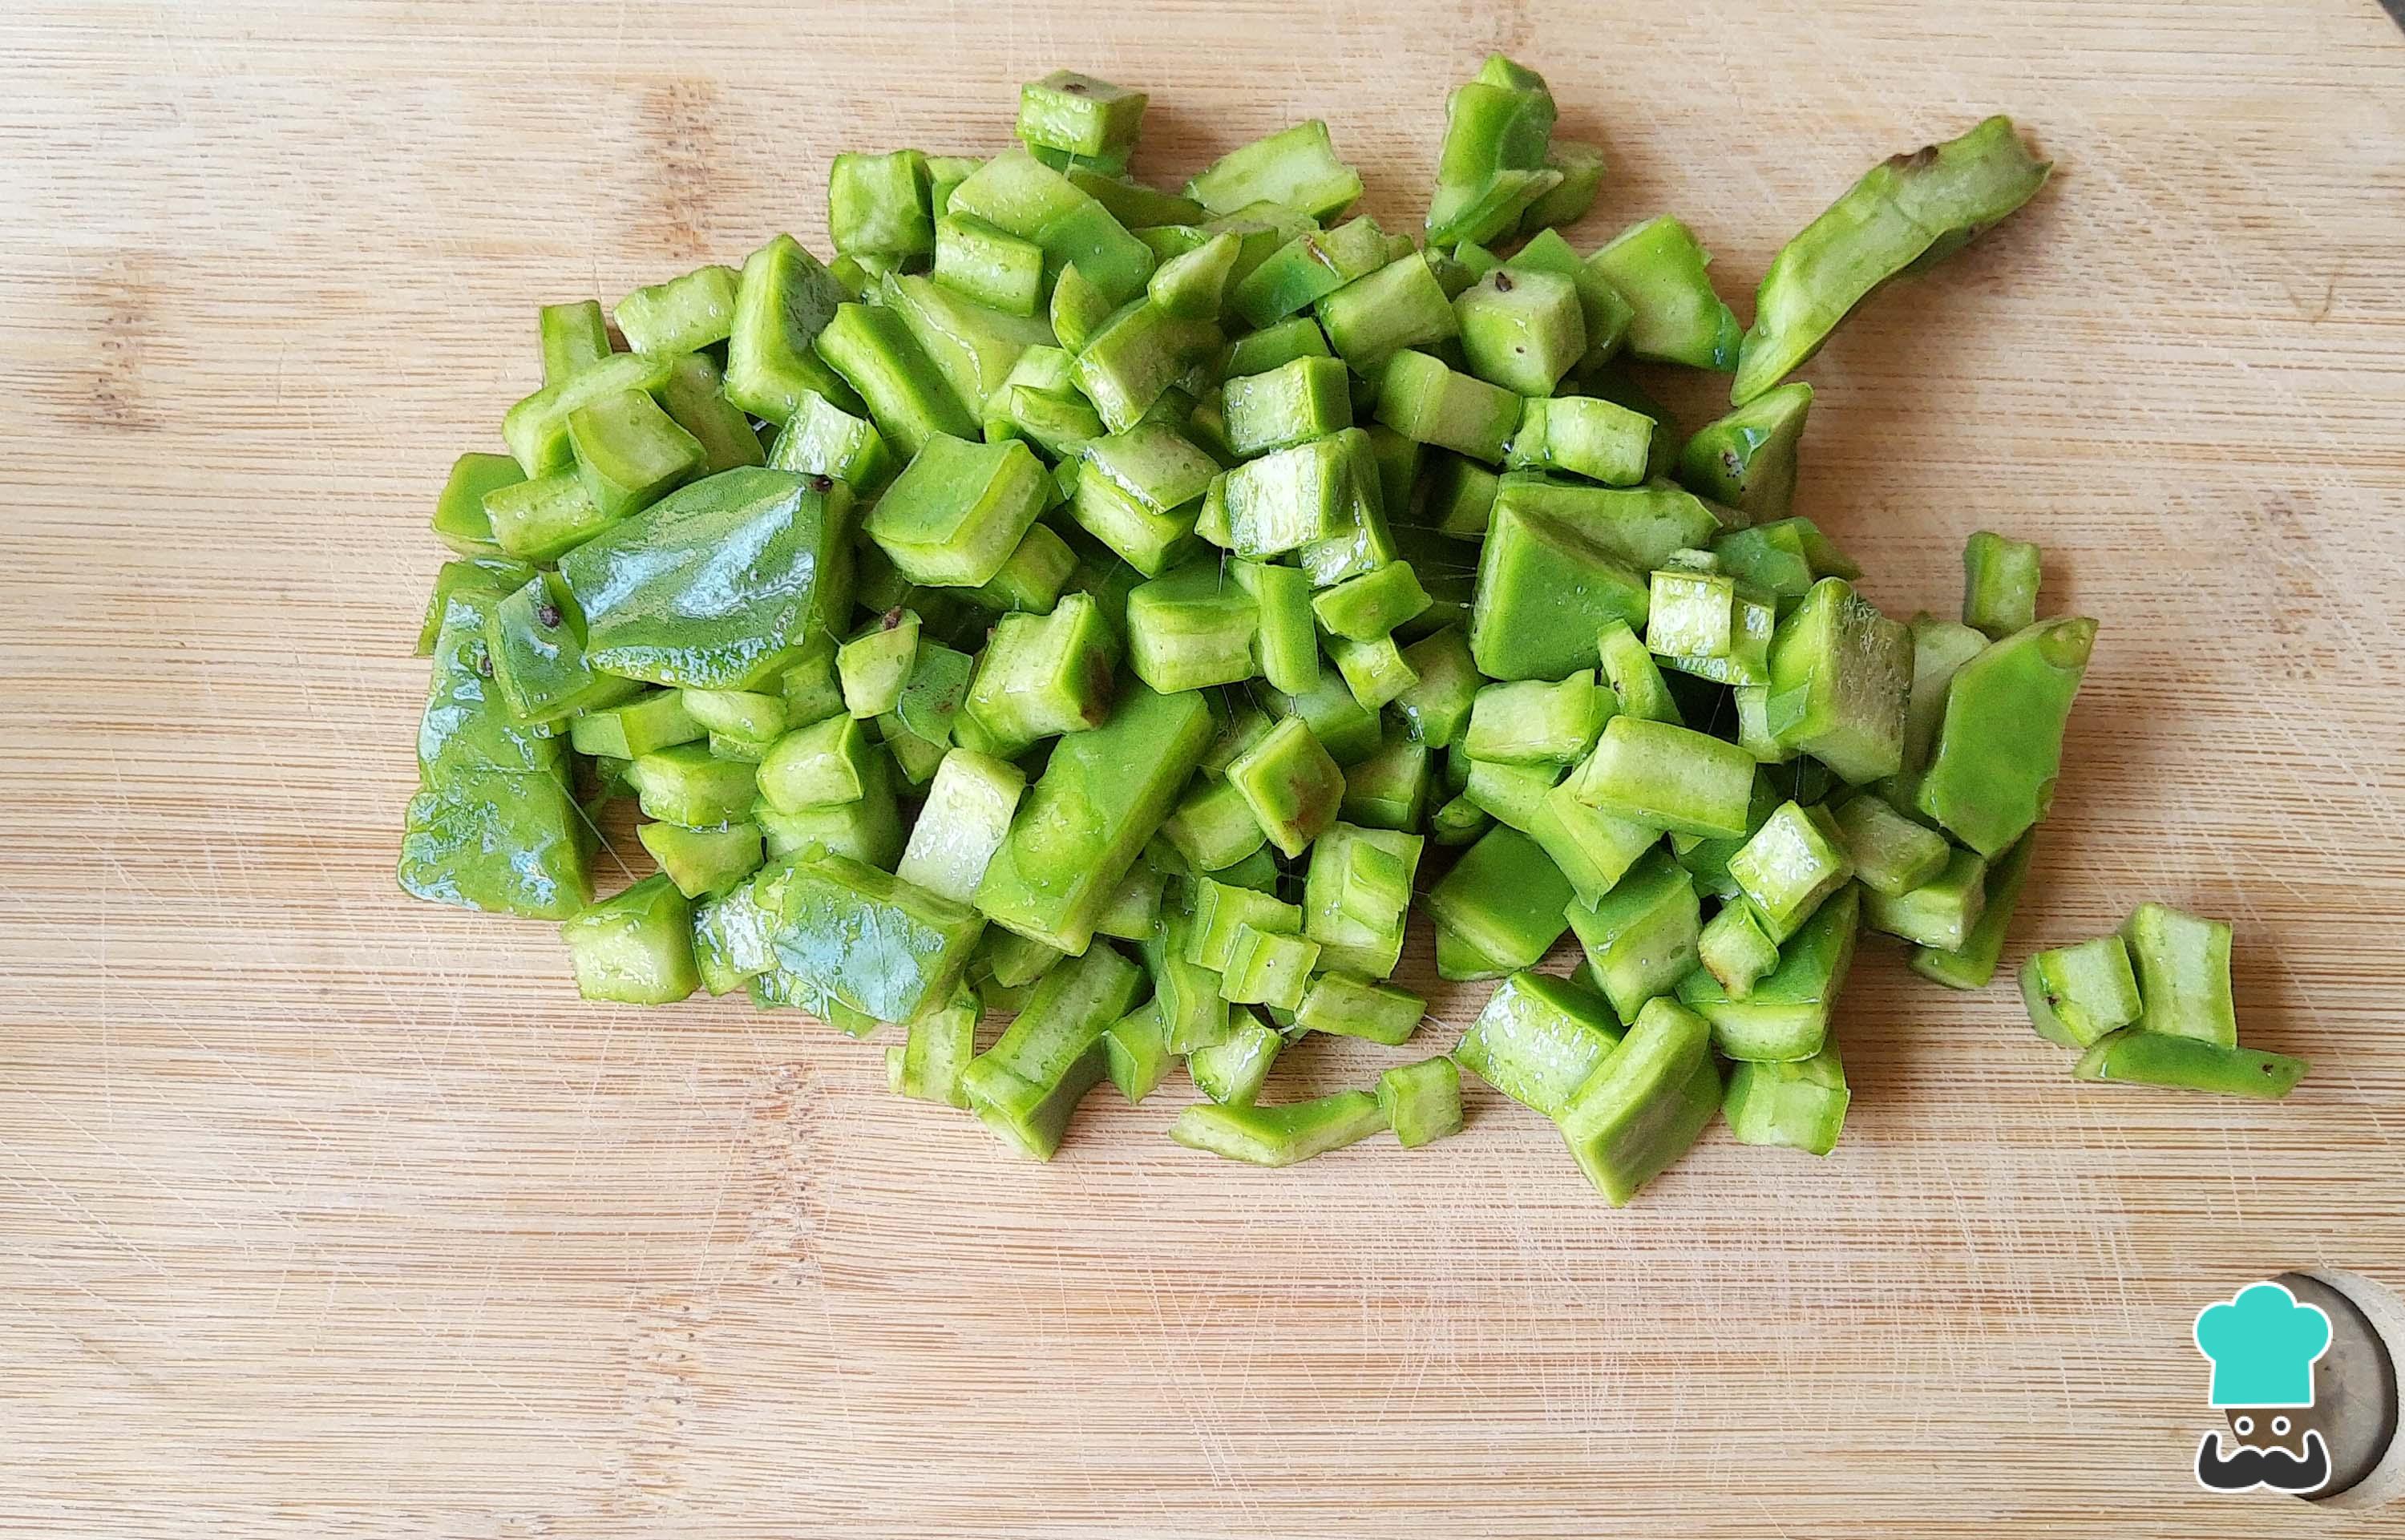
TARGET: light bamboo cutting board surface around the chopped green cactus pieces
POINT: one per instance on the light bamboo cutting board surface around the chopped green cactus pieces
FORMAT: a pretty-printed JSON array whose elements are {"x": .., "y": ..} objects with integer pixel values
[{"x": 333, "y": 1214}]
